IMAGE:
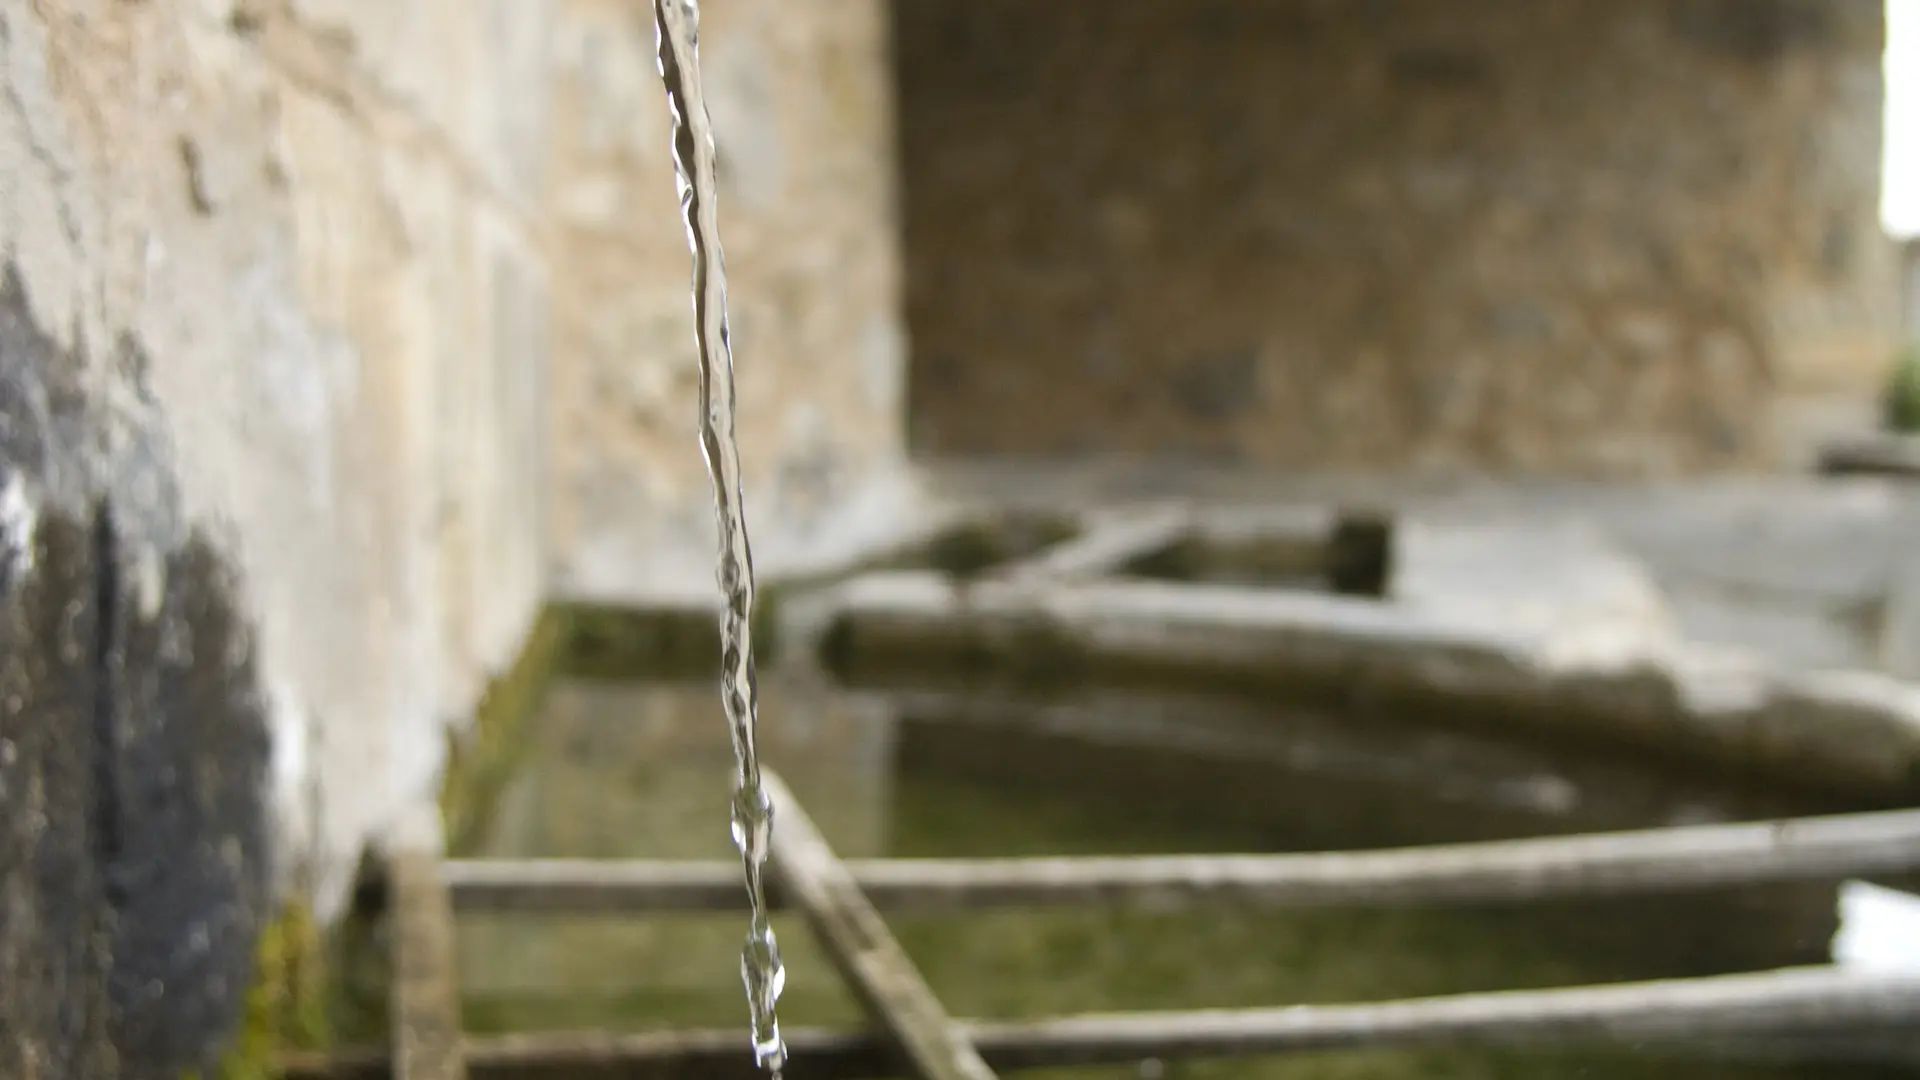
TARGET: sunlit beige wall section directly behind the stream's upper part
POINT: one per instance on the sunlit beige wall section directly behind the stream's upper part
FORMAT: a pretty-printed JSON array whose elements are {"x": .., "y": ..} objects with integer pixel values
[{"x": 802, "y": 107}]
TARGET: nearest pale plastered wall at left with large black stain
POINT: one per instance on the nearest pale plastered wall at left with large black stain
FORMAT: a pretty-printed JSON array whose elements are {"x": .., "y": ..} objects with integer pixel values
[{"x": 272, "y": 326}]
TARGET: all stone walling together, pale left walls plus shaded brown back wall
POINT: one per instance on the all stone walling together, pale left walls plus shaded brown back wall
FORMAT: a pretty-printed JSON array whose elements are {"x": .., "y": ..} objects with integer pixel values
[{"x": 337, "y": 335}]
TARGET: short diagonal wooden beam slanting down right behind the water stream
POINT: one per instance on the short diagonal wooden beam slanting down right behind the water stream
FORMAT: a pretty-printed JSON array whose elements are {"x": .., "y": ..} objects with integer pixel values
[{"x": 865, "y": 952}]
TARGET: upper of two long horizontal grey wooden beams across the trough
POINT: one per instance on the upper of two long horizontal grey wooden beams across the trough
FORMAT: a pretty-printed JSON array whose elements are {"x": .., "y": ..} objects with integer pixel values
[{"x": 1612, "y": 864}]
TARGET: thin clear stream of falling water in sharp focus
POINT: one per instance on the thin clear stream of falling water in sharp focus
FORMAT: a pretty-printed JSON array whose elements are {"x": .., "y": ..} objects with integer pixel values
[{"x": 677, "y": 26}]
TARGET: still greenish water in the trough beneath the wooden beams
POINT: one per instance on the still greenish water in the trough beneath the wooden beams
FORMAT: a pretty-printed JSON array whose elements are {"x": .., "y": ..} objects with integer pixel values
[{"x": 640, "y": 772}]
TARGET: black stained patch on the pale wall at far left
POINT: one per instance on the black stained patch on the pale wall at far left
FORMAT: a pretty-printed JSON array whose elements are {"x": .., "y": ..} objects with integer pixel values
[{"x": 133, "y": 737}]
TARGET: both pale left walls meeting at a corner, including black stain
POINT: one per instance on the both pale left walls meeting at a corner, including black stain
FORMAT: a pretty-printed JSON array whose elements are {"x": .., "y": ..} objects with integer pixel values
[{"x": 295, "y": 293}]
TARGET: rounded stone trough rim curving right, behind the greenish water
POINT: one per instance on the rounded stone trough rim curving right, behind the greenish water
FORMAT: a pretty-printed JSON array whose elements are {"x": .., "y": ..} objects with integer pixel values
[{"x": 1848, "y": 731}]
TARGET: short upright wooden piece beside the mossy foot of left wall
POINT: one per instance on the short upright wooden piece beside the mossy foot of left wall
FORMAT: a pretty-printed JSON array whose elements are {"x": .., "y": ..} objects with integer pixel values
[{"x": 425, "y": 994}]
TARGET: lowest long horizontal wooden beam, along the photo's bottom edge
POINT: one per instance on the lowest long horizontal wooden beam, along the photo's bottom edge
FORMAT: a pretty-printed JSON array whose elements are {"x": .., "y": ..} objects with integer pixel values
[{"x": 1767, "y": 1014}]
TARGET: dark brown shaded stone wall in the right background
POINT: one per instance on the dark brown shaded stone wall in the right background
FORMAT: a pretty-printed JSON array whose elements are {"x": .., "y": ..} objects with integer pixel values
[{"x": 1575, "y": 235}]
